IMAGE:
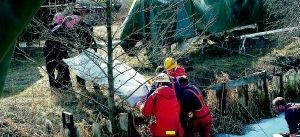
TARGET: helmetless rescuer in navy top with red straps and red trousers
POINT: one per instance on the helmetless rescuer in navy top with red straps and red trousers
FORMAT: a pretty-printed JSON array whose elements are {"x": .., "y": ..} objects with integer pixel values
[{"x": 195, "y": 115}]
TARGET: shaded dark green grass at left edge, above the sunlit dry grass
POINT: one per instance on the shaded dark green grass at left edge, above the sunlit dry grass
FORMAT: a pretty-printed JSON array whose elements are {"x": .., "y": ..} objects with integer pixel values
[{"x": 23, "y": 72}]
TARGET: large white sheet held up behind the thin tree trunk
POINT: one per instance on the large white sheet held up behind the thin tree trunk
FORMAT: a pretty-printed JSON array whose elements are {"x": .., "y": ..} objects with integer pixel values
[{"x": 129, "y": 84}]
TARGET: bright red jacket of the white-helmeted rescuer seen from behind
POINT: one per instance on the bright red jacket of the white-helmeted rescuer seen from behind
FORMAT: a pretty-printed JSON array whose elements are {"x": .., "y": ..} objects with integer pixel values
[{"x": 163, "y": 105}]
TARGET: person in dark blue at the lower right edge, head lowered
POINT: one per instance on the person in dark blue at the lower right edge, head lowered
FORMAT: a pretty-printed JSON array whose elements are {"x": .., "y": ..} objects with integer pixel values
[{"x": 291, "y": 113}]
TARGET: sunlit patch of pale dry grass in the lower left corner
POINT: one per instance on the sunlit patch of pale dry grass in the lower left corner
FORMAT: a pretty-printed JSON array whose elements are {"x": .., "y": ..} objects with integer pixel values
[{"x": 30, "y": 110}]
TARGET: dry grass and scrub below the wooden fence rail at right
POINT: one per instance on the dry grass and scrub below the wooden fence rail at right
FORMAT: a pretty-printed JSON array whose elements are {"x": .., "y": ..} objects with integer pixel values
[{"x": 238, "y": 112}]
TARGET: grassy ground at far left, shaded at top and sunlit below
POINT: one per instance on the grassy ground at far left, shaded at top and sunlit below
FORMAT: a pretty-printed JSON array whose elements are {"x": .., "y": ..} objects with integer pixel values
[{"x": 31, "y": 108}]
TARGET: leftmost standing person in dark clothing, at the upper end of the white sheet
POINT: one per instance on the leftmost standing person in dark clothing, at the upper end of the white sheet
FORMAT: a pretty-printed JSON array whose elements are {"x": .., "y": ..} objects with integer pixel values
[{"x": 55, "y": 51}]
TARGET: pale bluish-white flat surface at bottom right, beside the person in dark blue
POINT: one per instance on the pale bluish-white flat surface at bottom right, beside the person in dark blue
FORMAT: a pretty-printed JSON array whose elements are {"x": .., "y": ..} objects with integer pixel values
[{"x": 268, "y": 128}]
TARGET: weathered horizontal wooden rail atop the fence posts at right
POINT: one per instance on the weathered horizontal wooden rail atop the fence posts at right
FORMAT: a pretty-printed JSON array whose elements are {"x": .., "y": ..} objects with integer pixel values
[{"x": 253, "y": 78}]
